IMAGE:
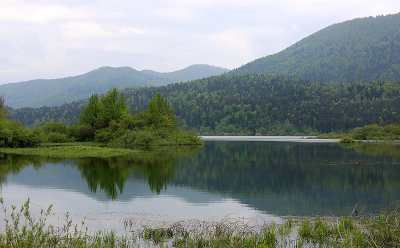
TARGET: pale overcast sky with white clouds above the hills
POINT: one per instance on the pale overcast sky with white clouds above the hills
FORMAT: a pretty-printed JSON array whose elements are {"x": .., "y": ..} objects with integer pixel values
[{"x": 51, "y": 39}]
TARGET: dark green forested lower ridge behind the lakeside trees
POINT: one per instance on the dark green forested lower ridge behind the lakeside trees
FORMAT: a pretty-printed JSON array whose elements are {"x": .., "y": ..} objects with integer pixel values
[{"x": 257, "y": 104}]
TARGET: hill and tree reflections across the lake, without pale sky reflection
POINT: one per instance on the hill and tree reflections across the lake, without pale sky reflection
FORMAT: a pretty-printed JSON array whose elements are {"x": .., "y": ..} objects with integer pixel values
[{"x": 272, "y": 177}]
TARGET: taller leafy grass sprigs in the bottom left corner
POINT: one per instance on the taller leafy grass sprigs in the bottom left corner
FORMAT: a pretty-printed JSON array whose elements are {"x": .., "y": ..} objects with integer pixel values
[{"x": 22, "y": 229}]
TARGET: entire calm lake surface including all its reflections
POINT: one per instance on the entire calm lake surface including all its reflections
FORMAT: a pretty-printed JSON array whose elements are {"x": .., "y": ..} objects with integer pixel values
[{"x": 249, "y": 179}]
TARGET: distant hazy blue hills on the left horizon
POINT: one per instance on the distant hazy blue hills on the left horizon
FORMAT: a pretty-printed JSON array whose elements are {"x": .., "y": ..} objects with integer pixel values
[{"x": 37, "y": 93}]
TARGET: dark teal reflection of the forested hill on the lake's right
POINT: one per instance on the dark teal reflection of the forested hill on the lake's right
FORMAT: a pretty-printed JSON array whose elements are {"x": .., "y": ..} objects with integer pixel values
[{"x": 295, "y": 178}]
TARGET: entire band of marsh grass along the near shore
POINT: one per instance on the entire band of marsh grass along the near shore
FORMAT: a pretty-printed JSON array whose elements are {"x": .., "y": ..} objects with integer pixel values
[{"x": 21, "y": 229}]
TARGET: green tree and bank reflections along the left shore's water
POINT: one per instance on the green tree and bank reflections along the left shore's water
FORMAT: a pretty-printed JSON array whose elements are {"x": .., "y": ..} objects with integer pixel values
[{"x": 110, "y": 175}]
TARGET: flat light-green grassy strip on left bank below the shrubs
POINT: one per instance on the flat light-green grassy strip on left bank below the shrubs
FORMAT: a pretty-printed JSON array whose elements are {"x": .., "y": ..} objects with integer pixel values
[{"x": 70, "y": 151}]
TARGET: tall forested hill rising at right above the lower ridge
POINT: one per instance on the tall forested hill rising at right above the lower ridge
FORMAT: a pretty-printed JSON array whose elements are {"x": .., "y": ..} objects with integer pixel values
[{"x": 358, "y": 50}]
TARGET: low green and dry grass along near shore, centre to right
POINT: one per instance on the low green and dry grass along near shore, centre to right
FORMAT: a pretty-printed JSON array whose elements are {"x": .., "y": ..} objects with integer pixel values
[{"x": 367, "y": 231}]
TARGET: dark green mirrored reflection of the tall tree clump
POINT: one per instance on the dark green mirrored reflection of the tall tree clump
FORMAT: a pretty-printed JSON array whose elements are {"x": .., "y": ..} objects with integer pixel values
[{"x": 111, "y": 174}]
